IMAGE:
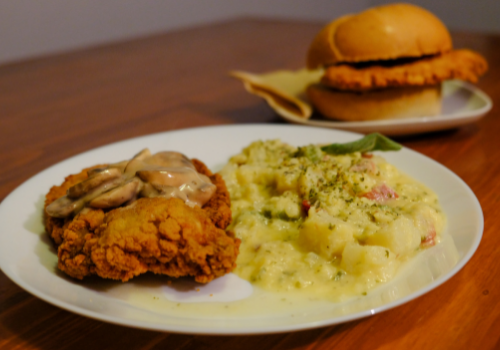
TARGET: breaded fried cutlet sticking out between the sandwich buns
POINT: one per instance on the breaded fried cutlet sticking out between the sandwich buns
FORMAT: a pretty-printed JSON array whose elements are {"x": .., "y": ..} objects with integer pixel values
[{"x": 459, "y": 64}]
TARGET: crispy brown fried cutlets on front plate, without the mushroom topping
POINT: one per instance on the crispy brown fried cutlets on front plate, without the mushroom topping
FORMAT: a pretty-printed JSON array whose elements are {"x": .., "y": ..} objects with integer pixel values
[{"x": 164, "y": 236}]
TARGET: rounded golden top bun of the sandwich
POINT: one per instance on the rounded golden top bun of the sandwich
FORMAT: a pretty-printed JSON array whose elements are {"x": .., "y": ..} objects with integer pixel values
[{"x": 380, "y": 33}]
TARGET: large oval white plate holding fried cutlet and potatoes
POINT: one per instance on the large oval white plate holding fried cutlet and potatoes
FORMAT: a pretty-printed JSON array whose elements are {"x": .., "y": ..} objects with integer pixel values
[{"x": 28, "y": 258}]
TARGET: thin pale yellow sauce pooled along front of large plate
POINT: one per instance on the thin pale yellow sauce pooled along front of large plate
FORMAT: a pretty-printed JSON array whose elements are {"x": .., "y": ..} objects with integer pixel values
[{"x": 304, "y": 305}]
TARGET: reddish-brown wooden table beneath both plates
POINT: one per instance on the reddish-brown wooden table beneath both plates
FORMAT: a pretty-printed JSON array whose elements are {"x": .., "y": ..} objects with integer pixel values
[{"x": 55, "y": 107}]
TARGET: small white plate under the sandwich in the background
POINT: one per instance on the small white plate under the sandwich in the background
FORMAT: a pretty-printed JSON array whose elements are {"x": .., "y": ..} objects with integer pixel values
[{"x": 462, "y": 104}]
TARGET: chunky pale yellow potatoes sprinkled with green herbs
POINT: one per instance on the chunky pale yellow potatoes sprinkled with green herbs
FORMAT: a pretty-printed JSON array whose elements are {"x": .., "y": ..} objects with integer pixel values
[{"x": 335, "y": 226}]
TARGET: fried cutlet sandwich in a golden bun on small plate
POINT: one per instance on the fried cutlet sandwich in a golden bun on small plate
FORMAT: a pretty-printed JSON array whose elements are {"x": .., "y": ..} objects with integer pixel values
[{"x": 386, "y": 62}]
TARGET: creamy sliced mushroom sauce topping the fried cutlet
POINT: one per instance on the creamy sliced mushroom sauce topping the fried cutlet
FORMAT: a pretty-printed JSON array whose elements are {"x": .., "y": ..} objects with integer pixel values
[{"x": 164, "y": 174}]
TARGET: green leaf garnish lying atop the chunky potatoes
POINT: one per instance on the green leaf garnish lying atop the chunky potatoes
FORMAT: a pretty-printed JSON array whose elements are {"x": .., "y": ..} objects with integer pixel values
[{"x": 369, "y": 143}]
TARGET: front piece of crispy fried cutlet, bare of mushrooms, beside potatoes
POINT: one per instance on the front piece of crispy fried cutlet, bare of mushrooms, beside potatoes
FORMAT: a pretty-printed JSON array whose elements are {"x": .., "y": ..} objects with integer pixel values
[{"x": 163, "y": 236}]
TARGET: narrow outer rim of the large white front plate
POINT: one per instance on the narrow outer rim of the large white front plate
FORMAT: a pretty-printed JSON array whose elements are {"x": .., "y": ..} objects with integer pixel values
[{"x": 6, "y": 267}]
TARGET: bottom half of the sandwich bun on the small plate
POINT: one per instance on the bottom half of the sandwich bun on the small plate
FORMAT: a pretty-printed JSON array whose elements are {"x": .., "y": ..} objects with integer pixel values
[{"x": 393, "y": 103}]
